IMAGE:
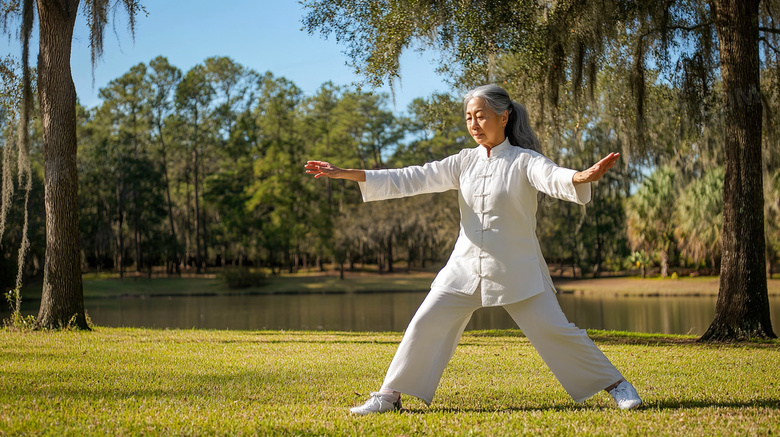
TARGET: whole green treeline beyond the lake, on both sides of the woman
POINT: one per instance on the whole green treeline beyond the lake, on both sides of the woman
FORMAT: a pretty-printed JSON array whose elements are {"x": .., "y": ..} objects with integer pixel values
[{"x": 205, "y": 168}]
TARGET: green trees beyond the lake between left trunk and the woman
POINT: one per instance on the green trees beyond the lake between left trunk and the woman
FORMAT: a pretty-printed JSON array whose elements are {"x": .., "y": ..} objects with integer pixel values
[{"x": 206, "y": 169}]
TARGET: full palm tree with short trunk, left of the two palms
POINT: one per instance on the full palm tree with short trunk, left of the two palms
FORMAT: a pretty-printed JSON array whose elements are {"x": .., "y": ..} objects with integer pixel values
[{"x": 650, "y": 210}]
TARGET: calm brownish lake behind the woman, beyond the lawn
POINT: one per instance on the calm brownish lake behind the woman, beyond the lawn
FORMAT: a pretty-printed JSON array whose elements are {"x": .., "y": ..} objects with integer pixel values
[{"x": 389, "y": 312}]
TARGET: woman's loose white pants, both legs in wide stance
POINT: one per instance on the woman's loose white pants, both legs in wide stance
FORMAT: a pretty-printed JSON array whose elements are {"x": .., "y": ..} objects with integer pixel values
[{"x": 436, "y": 328}]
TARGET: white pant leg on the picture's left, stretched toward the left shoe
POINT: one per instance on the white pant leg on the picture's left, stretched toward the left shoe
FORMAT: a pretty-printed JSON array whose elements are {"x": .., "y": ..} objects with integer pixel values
[{"x": 429, "y": 342}]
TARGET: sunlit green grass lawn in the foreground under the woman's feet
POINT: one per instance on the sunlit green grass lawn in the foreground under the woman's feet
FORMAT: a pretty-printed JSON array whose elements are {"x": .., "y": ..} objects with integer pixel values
[{"x": 161, "y": 382}]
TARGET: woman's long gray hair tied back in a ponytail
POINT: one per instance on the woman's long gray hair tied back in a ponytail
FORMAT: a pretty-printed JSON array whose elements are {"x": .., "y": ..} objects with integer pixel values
[{"x": 518, "y": 129}]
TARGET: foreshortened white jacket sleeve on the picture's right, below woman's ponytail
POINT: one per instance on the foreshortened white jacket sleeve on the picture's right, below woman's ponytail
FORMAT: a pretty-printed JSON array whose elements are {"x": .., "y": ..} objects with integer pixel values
[{"x": 555, "y": 181}]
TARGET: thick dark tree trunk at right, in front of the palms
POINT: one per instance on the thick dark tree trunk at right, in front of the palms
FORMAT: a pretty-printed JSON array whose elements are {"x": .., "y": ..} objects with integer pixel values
[{"x": 742, "y": 309}]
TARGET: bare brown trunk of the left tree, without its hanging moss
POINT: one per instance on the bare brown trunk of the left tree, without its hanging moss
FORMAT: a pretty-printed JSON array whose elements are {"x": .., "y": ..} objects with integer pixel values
[{"x": 63, "y": 298}]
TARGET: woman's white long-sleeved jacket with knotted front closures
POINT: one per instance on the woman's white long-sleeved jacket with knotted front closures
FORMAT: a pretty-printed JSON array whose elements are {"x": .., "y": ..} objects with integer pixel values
[{"x": 497, "y": 246}]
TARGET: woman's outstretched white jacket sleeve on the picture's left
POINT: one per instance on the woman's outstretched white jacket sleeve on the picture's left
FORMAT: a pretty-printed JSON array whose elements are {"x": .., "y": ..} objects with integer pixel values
[{"x": 433, "y": 177}]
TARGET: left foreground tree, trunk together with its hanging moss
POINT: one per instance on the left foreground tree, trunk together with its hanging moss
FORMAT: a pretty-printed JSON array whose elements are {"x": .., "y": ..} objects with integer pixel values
[{"x": 62, "y": 301}]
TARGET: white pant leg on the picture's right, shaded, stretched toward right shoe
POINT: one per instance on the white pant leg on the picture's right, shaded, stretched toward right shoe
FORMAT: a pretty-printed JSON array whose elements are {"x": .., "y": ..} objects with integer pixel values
[{"x": 574, "y": 359}]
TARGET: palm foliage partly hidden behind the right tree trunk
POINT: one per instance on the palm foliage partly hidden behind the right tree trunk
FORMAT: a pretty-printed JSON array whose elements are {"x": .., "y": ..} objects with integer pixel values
[{"x": 699, "y": 218}]
